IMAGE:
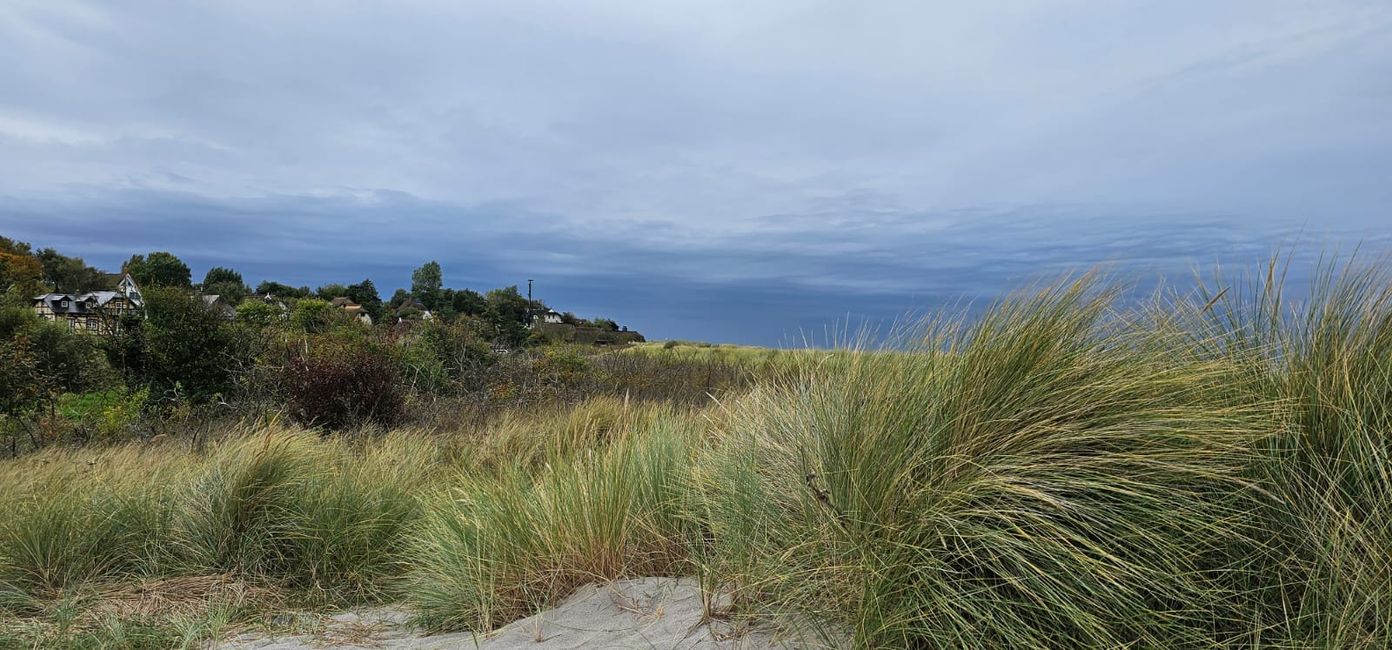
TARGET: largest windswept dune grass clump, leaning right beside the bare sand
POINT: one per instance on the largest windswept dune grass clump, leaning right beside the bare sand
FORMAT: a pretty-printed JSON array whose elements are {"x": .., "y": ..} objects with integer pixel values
[{"x": 1045, "y": 477}]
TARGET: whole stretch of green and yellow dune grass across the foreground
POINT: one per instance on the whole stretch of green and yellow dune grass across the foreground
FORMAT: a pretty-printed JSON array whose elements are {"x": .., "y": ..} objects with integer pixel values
[{"x": 1201, "y": 471}]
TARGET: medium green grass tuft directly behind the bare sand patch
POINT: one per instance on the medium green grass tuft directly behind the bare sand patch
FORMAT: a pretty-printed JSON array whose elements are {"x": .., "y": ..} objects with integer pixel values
[{"x": 500, "y": 548}]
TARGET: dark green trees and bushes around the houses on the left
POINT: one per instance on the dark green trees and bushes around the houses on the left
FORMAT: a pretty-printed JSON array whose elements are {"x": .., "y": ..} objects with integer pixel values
[{"x": 286, "y": 349}]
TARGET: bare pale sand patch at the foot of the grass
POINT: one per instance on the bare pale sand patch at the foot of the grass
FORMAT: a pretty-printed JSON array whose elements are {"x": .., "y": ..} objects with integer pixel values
[{"x": 651, "y": 613}]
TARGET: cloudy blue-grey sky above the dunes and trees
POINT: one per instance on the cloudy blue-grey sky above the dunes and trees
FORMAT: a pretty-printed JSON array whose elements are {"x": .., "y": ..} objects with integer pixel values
[{"x": 713, "y": 171}]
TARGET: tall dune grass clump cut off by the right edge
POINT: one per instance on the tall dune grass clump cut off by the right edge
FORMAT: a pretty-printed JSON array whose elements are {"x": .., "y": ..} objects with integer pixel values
[{"x": 1324, "y": 466}]
